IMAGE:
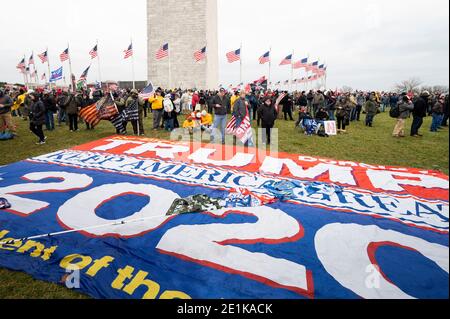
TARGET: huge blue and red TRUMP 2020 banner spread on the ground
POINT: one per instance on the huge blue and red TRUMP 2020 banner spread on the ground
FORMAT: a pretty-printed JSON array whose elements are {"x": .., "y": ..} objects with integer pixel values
[{"x": 127, "y": 217}]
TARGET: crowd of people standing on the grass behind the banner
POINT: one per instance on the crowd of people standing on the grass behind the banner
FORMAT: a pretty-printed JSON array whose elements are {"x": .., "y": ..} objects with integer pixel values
[{"x": 209, "y": 110}]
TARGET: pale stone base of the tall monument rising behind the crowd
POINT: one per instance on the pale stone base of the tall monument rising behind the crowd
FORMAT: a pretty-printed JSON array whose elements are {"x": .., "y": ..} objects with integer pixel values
[{"x": 187, "y": 26}]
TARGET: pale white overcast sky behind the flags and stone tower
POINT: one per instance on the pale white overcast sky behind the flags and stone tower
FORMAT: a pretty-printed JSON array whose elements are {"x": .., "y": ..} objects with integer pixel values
[{"x": 367, "y": 44}]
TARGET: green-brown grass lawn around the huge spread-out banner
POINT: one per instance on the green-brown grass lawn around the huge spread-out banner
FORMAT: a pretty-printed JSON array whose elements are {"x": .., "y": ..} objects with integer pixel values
[{"x": 368, "y": 145}]
